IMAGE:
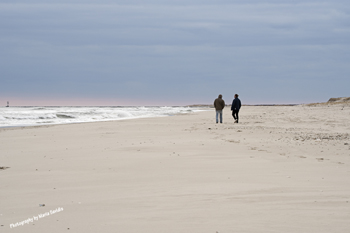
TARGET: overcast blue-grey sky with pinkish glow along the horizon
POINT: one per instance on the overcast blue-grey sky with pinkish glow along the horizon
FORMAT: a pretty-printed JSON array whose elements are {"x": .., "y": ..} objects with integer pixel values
[{"x": 178, "y": 52}]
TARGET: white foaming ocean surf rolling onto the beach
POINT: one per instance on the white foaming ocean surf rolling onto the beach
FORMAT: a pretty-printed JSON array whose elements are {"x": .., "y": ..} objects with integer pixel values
[{"x": 34, "y": 116}]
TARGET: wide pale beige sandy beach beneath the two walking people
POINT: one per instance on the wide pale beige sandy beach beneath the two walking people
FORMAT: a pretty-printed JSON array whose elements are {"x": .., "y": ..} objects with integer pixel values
[{"x": 281, "y": 169}]
